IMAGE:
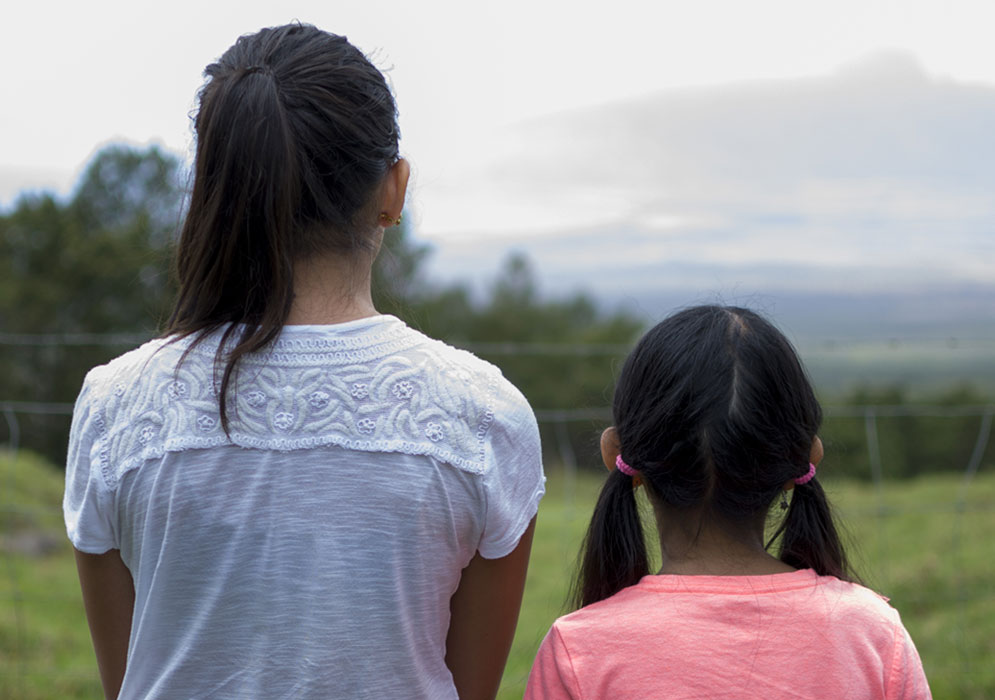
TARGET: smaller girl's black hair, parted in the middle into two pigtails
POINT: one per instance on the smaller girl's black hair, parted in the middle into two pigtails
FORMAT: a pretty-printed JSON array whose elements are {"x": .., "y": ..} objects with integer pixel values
[{"x": 715, "y": 411}]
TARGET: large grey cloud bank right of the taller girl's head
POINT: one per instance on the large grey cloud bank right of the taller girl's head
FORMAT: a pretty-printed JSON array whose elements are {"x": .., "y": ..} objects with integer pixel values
[{"x": 878, "y": 174}]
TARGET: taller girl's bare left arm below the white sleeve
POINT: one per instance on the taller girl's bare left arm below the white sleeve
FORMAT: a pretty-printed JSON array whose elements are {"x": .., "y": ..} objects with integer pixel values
[{"x": 109, "y": 600}]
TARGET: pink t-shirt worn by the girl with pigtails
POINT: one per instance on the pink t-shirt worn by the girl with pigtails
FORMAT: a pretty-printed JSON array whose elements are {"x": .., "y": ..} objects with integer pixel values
[{"x": 793, "y": 635}]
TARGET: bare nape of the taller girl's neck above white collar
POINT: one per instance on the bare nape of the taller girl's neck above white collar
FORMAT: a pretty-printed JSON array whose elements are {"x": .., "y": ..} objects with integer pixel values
[{"x": 332, "y": 289}]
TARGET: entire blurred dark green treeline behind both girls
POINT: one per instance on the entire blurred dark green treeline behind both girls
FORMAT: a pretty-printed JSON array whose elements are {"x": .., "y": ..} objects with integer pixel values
[{"x": 99, "y": 264}]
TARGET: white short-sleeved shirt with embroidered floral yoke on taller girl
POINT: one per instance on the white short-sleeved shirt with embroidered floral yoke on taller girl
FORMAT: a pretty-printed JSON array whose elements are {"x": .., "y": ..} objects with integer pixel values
[{"x": 314, "y": 552}]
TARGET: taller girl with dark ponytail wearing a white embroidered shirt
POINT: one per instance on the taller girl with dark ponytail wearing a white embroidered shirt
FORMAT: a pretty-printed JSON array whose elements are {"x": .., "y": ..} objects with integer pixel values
[{"x": 289, "y": 495}]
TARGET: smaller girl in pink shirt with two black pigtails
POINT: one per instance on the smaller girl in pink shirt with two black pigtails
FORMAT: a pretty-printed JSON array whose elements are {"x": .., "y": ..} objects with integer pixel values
[{"x": 716, "y": 419}]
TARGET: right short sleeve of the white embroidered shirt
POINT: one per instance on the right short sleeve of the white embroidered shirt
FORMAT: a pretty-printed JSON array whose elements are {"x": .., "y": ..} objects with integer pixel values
[{"x": 513, "y": 482}]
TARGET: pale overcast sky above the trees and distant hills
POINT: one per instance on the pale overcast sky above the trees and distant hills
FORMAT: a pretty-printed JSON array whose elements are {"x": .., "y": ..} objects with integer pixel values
[{"x": 716, "y": 144}]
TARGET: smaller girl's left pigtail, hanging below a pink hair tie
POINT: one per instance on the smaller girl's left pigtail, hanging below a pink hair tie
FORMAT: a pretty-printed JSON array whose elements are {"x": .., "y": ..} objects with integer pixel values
[{"x": 614, "y": 552}]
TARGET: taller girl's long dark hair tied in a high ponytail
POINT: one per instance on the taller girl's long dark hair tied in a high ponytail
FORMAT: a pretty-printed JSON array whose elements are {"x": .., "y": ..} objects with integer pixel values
[{"x": 296, "y": 131}]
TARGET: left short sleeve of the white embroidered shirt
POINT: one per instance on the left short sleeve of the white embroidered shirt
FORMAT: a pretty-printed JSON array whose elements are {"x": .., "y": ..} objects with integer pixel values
[{"x": 87, "y": 504}]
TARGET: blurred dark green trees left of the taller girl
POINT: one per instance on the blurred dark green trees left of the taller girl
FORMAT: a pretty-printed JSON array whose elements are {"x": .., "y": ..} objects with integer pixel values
[{"x": 96, "y": 264}]
